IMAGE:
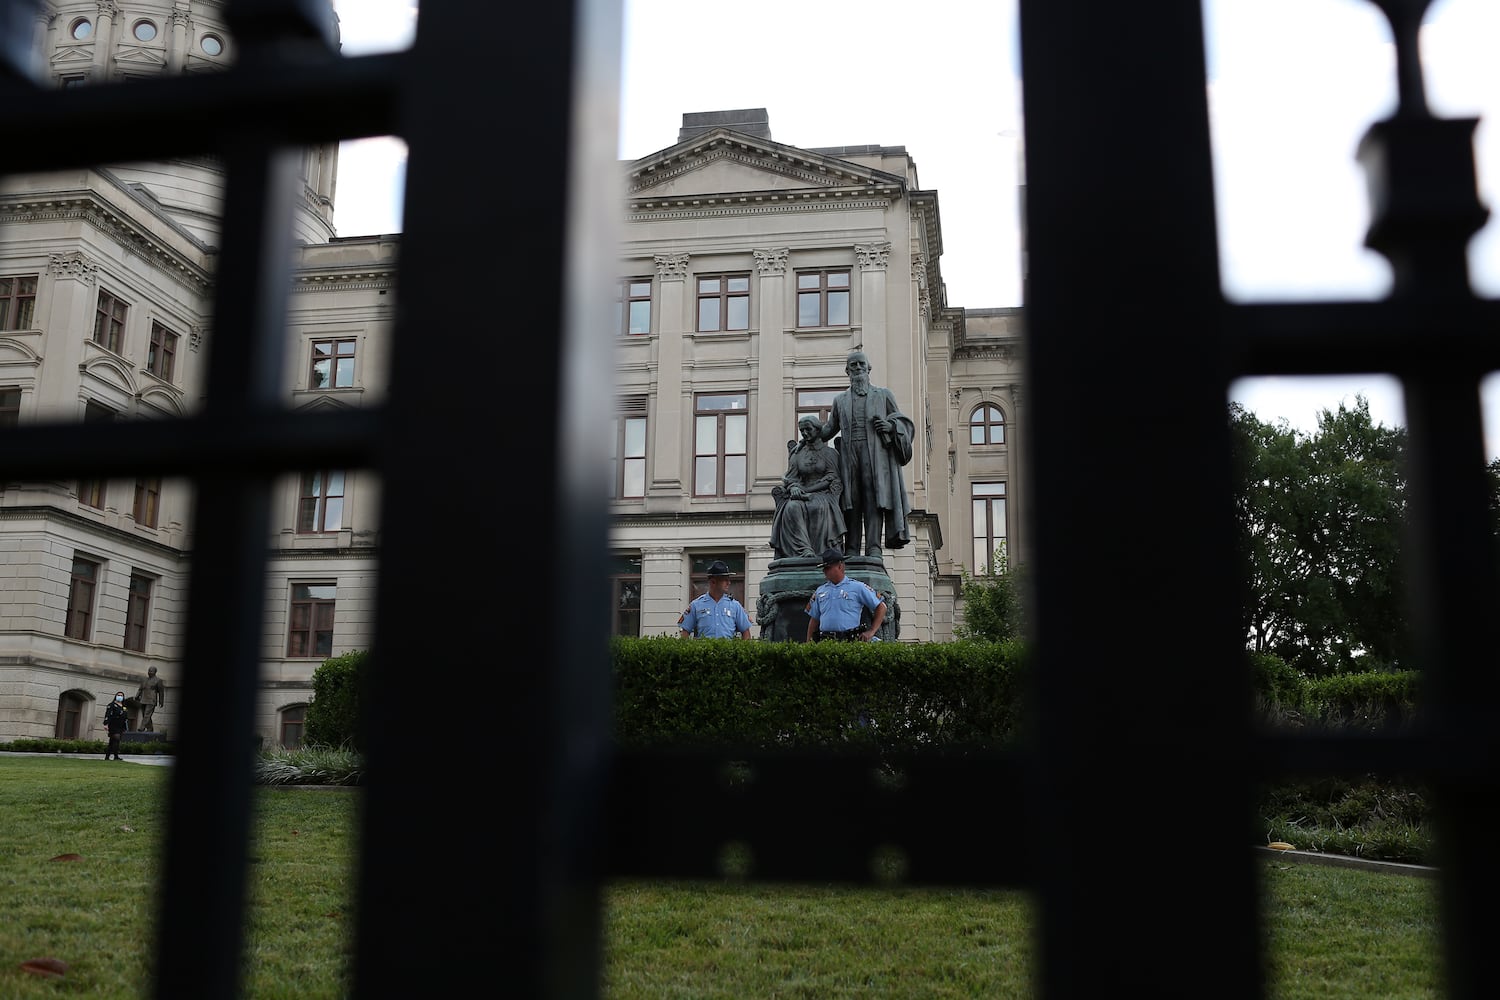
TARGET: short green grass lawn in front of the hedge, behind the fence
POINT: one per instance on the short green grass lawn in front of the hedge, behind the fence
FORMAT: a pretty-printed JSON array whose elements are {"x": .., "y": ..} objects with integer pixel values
[{"x": 1333, "y": 933}]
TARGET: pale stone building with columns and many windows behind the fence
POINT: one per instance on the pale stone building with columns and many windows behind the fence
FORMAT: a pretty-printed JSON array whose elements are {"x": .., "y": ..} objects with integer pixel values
[{"x": 116, "y": 266}]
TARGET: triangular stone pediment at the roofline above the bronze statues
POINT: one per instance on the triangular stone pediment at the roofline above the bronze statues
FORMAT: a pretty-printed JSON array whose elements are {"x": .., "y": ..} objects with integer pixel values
[{"x": 725, "y": 163}]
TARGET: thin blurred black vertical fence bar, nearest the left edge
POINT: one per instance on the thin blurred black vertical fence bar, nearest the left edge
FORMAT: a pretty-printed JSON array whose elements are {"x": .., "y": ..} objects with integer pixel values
[{"x": 203, "y": 900}]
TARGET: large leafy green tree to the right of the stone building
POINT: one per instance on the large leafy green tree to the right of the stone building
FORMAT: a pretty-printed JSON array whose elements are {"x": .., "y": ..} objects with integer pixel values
[{"x": 1321, "y": 521}]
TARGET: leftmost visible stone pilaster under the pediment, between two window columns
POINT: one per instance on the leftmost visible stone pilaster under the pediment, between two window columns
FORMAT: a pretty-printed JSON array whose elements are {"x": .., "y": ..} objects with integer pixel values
[{"x": 668, "y": 425}]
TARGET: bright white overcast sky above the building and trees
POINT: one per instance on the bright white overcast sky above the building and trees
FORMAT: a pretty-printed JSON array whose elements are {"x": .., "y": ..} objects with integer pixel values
[{"x": 1292, "y": 88}]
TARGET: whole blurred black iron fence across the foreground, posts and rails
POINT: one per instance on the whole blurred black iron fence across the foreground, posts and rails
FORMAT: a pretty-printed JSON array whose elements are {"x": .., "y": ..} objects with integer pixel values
[{"x": 493, "y": 872}]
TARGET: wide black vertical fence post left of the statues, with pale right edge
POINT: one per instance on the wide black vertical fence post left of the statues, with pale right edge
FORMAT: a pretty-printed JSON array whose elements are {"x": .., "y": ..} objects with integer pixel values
[{"x": 481, "y": 837}]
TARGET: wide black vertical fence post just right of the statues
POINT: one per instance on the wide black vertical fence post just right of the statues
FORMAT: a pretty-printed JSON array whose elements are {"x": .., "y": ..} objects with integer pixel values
[{"x": 1123, "y": 305}]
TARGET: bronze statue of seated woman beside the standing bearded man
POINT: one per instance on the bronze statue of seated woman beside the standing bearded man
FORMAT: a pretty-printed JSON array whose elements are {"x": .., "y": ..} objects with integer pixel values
[{"x": 809, "y": 516}]
